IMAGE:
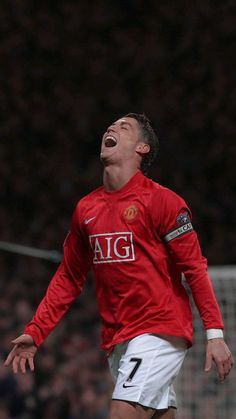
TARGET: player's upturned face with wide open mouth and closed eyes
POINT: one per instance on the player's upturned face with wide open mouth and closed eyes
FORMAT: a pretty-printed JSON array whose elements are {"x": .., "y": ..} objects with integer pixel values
[{"x": 120, "y": 141}]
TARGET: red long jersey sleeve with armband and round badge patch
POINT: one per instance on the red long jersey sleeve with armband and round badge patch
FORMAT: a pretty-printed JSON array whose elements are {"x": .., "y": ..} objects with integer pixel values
[{"x": 173, "y": 223}]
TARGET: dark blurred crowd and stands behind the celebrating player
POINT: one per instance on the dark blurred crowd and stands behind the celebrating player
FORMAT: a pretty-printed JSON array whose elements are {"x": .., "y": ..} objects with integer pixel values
[{"x": 68, "y": 69}]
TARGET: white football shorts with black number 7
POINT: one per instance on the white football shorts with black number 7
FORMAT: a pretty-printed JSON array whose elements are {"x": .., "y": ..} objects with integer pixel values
[{"x": 144, "y": 369}]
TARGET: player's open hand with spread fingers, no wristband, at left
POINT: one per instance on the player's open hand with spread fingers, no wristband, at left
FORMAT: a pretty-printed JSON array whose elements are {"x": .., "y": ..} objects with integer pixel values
[{"x": 22, "y": 353}]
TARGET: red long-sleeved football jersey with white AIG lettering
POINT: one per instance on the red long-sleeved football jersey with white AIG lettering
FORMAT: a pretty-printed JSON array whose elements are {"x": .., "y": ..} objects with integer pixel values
[{"x": 138, "y": 240}]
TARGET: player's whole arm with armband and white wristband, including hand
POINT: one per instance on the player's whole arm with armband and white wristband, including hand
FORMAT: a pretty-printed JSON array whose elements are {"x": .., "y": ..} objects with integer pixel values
[{"x": 174, "y": 224}]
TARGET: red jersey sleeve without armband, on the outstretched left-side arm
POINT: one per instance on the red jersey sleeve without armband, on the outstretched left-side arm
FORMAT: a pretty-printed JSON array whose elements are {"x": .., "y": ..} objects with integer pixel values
[{"x": 65, "y": 286}]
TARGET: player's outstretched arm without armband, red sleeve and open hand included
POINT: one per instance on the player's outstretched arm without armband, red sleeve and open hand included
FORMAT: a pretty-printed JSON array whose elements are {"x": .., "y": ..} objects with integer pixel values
[{"x": 63, "y": 289}]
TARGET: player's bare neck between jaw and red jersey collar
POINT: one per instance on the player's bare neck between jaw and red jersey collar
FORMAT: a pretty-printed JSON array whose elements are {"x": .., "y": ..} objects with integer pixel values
[{"x": 115, "y": 178}]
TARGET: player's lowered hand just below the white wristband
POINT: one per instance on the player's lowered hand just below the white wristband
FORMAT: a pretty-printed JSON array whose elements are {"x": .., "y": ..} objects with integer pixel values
[{"x": 218, "y": 351}]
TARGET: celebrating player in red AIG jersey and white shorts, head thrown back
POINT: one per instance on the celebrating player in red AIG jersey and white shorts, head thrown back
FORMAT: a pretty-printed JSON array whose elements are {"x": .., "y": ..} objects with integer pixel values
[{"x": 139, "y": 239}]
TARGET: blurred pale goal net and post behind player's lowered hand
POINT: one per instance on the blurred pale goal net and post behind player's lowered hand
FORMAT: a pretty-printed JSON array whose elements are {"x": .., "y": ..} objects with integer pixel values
[{"x": 200, "y": 395}]
